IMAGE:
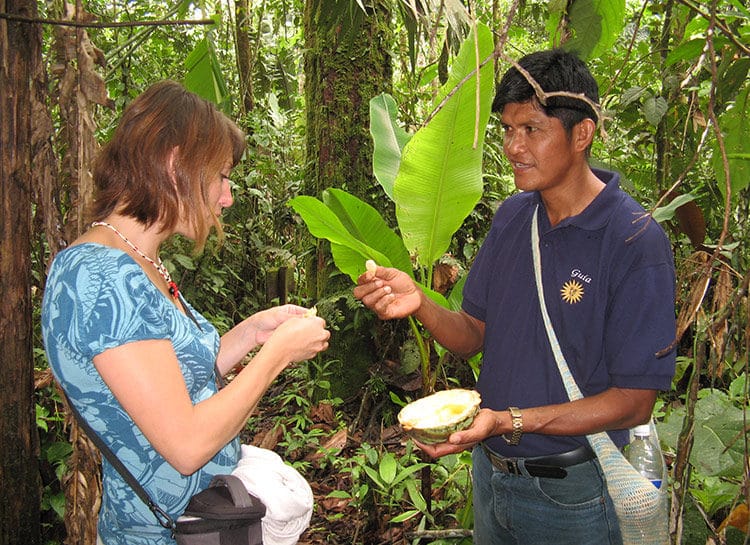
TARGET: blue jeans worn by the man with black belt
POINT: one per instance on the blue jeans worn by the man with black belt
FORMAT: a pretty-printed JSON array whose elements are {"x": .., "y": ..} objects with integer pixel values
[{"x": 526, "y": 510}]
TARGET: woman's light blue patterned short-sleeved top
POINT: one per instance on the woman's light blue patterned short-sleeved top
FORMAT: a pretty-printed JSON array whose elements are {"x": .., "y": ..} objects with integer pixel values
[{"x": 98, "y": 298}]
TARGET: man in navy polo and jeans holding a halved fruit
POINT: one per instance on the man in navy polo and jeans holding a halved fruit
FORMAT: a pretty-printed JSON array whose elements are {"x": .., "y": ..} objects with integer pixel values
[{"x": 608, "y": 280}]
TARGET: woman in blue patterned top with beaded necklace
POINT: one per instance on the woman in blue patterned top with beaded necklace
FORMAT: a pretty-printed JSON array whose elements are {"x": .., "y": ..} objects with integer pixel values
[{"x": 136, "y": 360}]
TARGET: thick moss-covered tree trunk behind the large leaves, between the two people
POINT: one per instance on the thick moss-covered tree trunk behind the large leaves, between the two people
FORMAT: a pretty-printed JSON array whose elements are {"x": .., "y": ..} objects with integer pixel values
[{"x": 347, "y": 63}]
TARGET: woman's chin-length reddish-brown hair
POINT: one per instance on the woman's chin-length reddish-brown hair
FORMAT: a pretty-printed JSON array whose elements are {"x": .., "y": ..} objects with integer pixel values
[{"x": 169, "y": 145}]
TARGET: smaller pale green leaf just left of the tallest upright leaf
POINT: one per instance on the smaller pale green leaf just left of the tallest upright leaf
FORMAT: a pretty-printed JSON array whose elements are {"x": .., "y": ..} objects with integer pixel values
[{"x": 388, "y": 139}]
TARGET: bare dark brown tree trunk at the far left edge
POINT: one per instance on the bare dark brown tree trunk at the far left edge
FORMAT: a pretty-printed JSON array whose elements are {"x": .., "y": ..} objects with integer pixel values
[{"x": 20, "y": 45}]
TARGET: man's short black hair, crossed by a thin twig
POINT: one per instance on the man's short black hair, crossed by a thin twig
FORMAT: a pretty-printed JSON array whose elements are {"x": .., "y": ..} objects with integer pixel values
[{"x": 554, "y": 70}]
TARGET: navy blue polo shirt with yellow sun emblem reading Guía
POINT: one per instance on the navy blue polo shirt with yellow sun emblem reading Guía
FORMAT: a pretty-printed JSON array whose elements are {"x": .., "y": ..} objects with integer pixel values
[{"x": 609, "y": 286}]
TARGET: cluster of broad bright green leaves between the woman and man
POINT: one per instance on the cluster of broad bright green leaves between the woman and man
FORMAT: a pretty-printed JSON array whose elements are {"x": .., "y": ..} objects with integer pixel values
[{"x": 433, "y": 196}]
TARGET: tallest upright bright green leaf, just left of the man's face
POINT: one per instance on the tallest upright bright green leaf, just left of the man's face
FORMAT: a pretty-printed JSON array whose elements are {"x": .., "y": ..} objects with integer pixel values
[{"x": 440, "y": 178}]
